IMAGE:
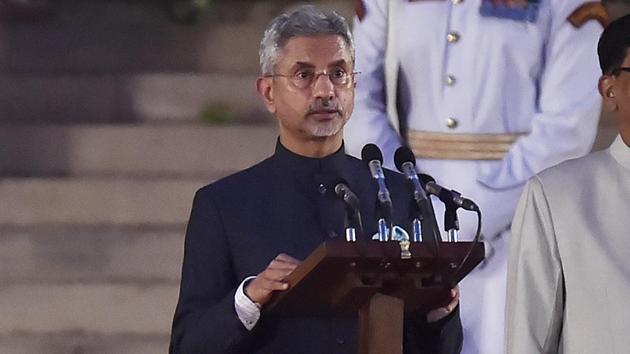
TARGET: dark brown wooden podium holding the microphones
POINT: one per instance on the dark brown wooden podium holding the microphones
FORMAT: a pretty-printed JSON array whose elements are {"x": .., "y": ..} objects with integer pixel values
[{"x": 372, "y": 279}]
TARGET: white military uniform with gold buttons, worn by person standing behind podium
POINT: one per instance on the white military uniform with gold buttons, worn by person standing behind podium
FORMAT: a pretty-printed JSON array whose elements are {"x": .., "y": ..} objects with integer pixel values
[{"x": 451, "y": 70}]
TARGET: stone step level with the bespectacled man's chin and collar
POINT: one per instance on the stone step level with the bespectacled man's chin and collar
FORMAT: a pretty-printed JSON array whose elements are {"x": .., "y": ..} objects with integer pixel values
[{"x": 132, "y": 150}]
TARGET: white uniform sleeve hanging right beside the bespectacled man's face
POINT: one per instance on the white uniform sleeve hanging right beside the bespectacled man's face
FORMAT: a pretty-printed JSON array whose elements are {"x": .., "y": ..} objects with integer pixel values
[{"x": 369, "y": 122}]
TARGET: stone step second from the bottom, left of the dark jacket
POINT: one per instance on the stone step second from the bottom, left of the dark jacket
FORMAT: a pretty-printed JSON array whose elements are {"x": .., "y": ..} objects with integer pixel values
[{"x": 90, "y": 307}]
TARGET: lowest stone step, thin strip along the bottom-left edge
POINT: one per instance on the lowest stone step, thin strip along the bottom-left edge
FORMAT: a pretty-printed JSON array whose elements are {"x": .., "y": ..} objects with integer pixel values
[{"x": 83, "y": 343}]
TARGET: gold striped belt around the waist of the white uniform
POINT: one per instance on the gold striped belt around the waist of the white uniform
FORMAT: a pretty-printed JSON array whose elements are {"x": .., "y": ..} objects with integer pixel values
[{"x": 458, "y": 146}]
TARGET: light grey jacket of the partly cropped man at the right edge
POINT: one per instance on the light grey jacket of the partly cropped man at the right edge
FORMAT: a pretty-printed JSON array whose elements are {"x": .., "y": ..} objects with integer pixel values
[{"x": 569, "y": 271}]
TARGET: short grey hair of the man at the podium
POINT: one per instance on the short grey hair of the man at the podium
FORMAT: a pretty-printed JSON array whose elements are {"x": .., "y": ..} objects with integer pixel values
[{"x": 303, "y": 21}]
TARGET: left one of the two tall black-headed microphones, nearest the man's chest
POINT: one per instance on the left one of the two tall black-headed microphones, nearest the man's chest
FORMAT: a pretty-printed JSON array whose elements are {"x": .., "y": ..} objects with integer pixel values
[{"x": 373, "y": 157}]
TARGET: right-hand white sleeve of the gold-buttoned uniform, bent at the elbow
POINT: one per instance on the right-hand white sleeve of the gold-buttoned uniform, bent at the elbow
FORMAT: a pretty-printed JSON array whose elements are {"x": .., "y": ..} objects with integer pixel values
[{"x": 568, "y": 103}]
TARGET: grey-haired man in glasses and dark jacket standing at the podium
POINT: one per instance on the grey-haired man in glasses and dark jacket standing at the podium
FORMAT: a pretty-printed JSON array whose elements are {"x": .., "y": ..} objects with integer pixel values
[{"x": 248, "y": 231}]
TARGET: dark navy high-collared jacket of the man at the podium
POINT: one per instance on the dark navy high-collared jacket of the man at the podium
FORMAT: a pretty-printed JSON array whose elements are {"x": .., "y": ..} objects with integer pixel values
[{"x": 285, "y": 204}]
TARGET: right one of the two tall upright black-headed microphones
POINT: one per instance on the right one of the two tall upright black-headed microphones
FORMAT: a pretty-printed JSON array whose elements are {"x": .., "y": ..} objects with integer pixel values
[{"x": 406, "y": 163}]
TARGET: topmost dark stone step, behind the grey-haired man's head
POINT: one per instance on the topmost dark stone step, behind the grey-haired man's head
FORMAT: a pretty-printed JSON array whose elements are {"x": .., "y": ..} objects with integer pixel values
[{"x": 108, "y": 36}]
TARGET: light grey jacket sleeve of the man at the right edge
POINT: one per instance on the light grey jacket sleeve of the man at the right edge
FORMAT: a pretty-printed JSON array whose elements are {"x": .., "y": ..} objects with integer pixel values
[{"x": 535, "y": 284}]
